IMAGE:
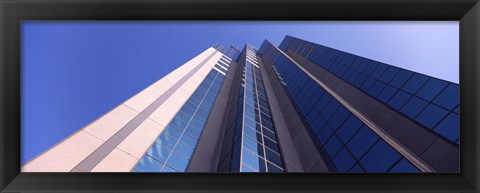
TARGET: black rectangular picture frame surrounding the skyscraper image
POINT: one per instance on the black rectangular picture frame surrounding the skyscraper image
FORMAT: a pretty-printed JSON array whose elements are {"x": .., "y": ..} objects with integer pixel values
[{"x": 12, "y": 12}]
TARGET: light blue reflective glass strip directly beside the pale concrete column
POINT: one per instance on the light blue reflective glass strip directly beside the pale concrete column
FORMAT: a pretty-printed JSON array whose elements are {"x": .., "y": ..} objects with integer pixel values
[{"x": 172, "y": 150}]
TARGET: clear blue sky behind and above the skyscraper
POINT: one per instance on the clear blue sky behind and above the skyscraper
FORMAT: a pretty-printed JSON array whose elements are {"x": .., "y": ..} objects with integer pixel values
[{"x": 74, "y": 72}]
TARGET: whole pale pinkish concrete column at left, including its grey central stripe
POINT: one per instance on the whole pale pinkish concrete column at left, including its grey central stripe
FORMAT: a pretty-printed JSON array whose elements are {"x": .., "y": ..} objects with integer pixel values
[{"x": 115, "y": 141}]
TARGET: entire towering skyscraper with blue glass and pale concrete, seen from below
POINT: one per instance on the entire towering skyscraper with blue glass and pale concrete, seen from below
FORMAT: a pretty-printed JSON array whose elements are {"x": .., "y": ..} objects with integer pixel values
[{"x": 298, "y": 107}]
